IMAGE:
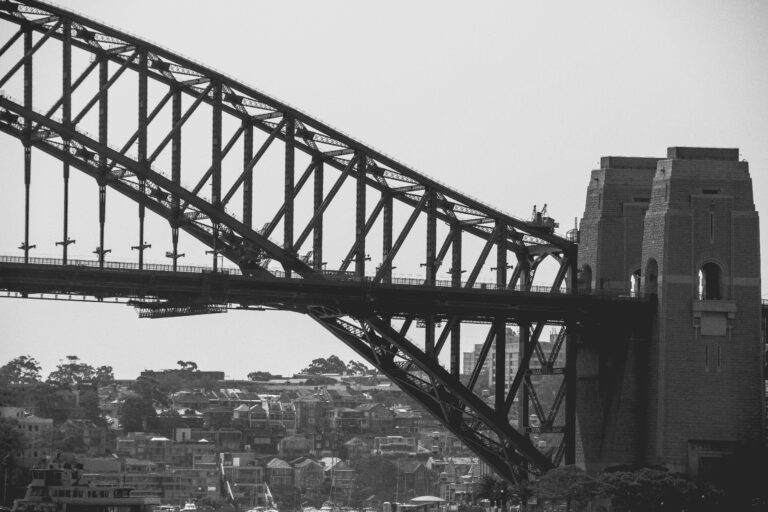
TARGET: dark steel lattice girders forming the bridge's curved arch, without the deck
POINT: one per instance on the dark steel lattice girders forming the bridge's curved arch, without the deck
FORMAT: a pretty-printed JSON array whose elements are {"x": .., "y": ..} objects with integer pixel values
[{"x": 209, "y": 222}]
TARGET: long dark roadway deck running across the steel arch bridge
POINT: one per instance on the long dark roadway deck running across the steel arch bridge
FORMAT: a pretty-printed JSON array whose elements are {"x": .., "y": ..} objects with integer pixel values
[{"x": 403, "y": 296}]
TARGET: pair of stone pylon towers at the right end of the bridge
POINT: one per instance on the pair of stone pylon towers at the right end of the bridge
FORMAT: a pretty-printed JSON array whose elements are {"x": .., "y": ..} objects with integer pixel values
[{"x": 684, "y": 230}]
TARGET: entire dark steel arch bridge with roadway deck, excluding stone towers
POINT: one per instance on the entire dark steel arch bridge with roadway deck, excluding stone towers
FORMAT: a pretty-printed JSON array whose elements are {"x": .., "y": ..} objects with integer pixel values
[{"x": 277, "y": 259}]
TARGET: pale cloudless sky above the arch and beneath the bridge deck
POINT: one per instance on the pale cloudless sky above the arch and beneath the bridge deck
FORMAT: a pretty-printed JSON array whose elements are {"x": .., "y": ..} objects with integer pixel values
[{"x": 510, "y": 102}]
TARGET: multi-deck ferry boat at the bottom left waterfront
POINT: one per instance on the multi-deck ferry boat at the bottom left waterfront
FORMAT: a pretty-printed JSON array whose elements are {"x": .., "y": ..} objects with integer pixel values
[{"x": 63, "y": 488}]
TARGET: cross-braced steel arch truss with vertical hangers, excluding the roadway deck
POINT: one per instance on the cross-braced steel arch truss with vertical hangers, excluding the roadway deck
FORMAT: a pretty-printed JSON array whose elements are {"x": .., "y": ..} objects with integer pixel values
[{"x": 380, "y": 183}]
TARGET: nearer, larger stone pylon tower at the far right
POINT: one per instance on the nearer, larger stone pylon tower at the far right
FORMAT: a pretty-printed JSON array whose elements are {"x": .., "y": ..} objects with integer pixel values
[{"x": 701, "y": 256}]
